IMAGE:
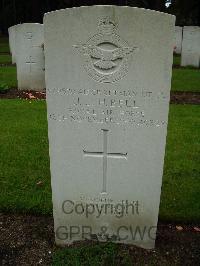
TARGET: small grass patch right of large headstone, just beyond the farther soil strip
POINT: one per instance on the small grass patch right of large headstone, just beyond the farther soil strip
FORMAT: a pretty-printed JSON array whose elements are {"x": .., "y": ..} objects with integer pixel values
[{"x": 185, "y": 79}]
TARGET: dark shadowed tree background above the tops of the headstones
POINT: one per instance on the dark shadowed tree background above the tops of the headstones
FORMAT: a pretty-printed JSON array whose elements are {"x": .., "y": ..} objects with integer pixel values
[{"x": 19, "y": 11}]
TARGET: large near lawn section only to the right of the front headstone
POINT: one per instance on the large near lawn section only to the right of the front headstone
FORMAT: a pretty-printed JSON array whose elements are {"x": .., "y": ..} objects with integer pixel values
[{"x": 180, "y": 198}]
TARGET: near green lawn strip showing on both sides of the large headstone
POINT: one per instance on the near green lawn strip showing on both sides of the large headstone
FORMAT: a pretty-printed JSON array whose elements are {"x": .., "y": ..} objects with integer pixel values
[{"x": 24, "y": 161}]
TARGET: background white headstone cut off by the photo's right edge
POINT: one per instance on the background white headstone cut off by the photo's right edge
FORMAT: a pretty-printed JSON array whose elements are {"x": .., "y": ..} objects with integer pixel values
[{"x": 191, "y": 46}]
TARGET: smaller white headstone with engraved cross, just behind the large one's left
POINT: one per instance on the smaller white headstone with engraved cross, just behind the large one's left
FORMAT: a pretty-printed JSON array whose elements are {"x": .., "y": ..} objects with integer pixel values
[{"x": 30, "y": 56}]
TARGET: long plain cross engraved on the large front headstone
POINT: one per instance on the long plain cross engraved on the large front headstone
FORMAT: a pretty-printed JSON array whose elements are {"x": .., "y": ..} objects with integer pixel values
[{"x": 105, "y": 154}]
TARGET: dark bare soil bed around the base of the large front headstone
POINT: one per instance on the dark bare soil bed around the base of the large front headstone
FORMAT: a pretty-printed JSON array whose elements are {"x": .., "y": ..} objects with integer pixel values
[{"x": 29, "y": 240}]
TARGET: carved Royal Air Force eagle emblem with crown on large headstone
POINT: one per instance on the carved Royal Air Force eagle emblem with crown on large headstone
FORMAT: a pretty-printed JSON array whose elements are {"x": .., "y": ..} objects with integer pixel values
[{"x": 106, "y": 55}]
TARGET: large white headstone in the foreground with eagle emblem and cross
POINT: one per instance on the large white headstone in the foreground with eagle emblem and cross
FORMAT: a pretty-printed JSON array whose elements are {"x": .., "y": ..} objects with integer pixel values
[{"x": 108, "y": 74}]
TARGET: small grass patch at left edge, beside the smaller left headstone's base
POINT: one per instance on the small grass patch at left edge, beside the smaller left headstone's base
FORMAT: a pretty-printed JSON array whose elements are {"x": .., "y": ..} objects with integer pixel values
[{"x": 8, "y": 76}]
